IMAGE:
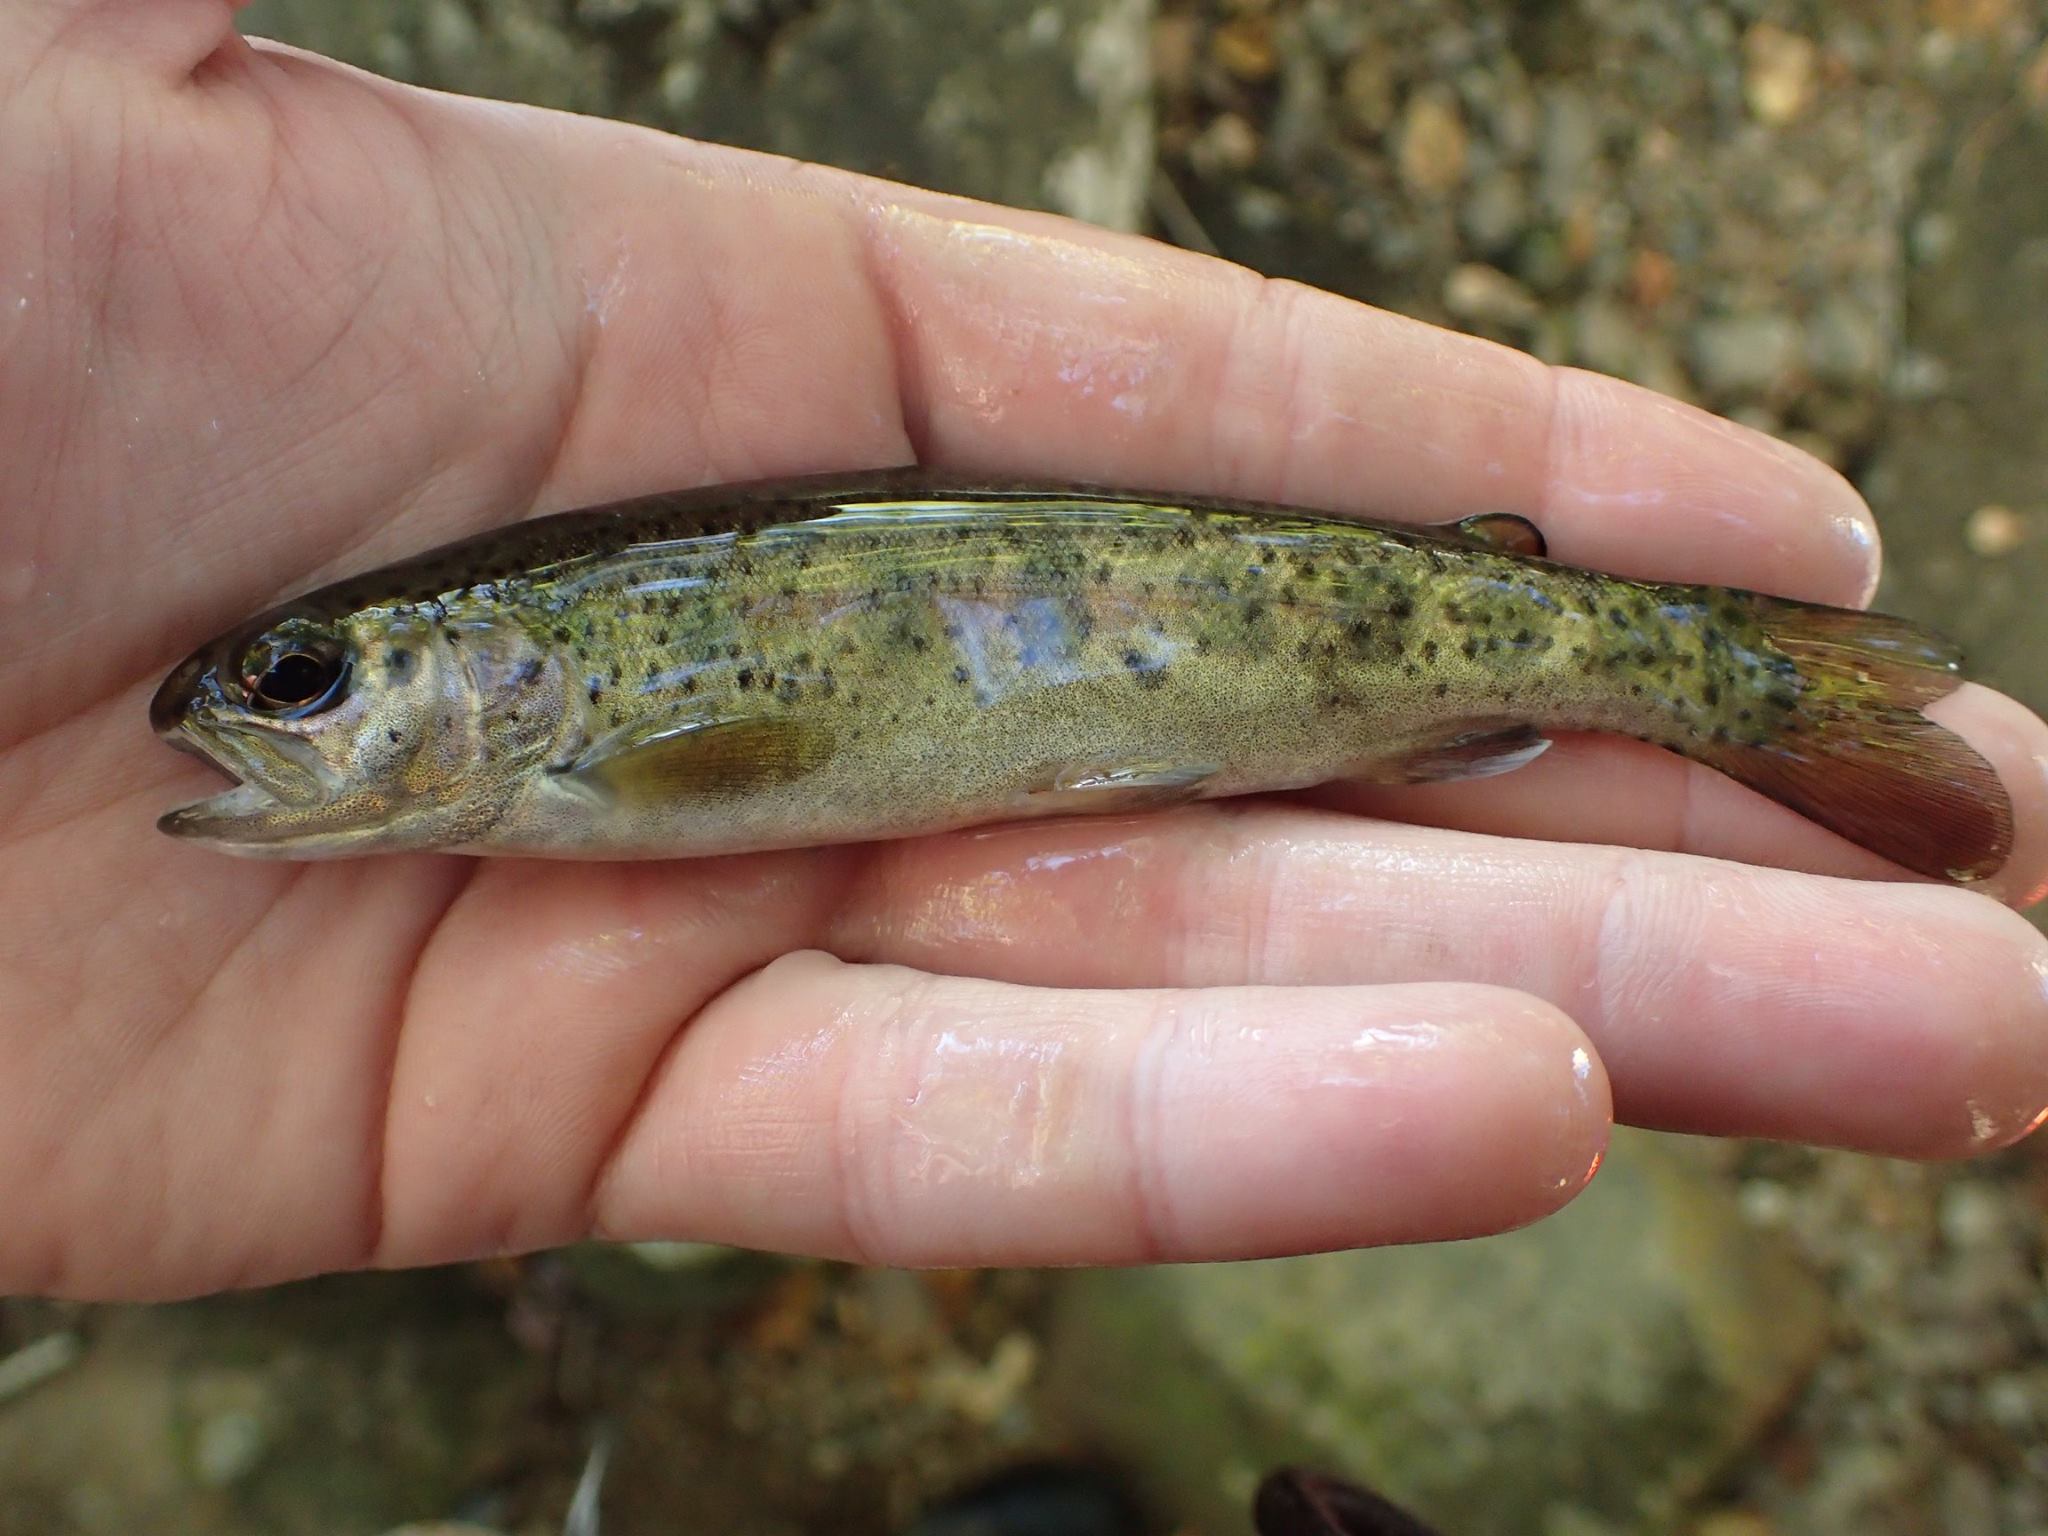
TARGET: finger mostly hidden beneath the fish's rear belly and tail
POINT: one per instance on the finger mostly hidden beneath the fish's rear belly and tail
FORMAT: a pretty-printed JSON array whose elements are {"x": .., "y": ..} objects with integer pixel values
[{"x": 1613, "y": 792}]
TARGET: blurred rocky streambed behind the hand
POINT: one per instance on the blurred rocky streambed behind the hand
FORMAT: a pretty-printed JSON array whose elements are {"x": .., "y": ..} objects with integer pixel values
[{"x": 1824, "y": 220}]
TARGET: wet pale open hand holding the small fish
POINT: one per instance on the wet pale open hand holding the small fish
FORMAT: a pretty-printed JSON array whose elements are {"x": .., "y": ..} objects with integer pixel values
[{"x": 265, "y": 321}]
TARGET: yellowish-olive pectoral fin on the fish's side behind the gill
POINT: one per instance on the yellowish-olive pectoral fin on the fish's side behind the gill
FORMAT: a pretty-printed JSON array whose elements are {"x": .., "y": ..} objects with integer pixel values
[{"x": 699, "y": 757}]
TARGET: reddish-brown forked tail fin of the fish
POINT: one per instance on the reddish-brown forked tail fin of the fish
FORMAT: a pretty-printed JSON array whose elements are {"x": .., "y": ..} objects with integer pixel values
[{"x": 1863, "y": 761}]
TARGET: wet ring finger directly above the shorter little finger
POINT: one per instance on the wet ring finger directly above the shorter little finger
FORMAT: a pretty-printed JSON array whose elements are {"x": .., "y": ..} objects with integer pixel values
[{"x": 1725, "y": 1000}]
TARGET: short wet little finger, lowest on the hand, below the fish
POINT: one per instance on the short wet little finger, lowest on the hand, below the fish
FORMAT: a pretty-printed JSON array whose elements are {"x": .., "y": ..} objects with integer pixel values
[{"x": 890, "y": 1117}]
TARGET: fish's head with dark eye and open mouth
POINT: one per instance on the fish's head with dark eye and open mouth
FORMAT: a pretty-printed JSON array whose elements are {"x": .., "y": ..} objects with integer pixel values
[{"x": 361, "y": 732}]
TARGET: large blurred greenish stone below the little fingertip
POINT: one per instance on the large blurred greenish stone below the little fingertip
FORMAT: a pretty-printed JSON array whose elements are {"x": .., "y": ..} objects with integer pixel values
[{"x": 1601, "y": 1367}]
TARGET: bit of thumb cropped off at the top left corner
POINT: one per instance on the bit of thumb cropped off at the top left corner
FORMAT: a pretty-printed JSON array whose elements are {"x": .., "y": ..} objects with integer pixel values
[{"x": 163, "y": 38}]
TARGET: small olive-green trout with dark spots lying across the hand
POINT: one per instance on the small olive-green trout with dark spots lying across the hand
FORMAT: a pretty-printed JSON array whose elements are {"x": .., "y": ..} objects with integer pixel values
[{"x": 886, "y": 654}]
